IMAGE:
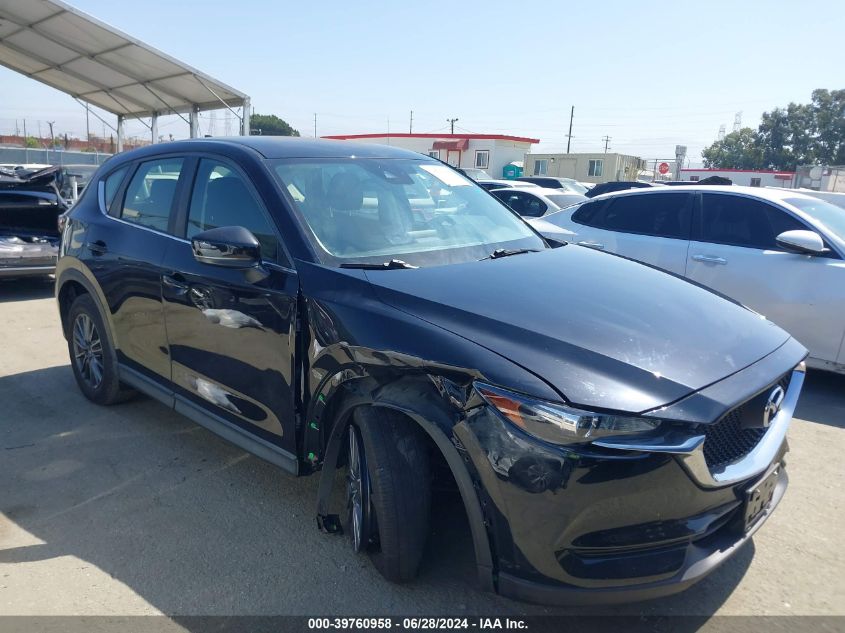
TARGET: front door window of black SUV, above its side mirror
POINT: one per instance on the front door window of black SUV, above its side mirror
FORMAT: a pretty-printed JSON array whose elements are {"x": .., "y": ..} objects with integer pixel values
[{"x": 222, "y": 198}]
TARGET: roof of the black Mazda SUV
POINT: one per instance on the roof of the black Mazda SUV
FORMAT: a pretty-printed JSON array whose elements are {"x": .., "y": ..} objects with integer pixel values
[{"x": 282, "y": 147}]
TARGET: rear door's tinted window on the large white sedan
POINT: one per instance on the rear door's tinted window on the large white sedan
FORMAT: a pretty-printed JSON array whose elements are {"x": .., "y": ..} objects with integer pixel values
[{"x": 665, "y": 215}]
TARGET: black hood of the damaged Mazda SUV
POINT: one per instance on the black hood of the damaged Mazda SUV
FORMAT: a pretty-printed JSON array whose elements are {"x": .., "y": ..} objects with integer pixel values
[{"x": 604, "y": 331}]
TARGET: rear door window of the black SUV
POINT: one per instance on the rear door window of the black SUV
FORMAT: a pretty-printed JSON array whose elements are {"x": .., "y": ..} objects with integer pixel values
[{"x": 151, "y": 192}]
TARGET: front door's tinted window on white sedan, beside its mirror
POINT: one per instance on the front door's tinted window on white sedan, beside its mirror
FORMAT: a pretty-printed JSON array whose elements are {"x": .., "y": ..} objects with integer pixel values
[{"x": 739, "y": 221}]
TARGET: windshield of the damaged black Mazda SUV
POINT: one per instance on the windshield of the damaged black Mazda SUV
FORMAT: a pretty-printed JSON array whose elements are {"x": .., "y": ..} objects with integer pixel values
[{"x": 358, "y": 210}]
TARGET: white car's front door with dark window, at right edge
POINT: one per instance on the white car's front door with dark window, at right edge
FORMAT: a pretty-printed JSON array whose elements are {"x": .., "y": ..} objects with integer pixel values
[{"x": 734, "y": 251}]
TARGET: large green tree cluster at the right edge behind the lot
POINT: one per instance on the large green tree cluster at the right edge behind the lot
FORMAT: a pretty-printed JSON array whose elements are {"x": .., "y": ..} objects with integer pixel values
[{"x": 799, "y": 134}]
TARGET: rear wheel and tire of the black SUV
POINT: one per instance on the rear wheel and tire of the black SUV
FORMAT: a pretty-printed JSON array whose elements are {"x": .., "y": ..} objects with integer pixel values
[{"x": 92, "y": 356}]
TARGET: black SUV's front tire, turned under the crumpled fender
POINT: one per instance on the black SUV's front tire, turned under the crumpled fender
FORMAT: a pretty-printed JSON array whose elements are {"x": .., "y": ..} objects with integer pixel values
[{"x": 398, "y": 509}]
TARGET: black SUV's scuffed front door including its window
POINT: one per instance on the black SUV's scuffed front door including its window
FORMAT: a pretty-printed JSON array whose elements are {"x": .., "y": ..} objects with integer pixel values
[{"x": 232, "y": 333}]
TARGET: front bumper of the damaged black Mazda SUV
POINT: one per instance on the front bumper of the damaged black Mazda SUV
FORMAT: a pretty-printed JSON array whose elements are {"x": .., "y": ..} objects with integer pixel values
[{"x": 603, "y": 524}]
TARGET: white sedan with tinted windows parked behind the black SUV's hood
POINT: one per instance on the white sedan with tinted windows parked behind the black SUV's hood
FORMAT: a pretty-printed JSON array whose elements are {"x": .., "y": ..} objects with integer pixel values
[{"x": 777, "y": 251}]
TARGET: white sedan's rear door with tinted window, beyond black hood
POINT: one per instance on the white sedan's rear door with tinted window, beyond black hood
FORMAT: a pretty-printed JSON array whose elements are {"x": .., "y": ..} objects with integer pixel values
[{"x": 651, "y": 228}]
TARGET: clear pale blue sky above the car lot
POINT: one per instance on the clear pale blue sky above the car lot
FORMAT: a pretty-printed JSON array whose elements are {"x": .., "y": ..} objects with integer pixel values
[{"x": 648, "y": 74}]
